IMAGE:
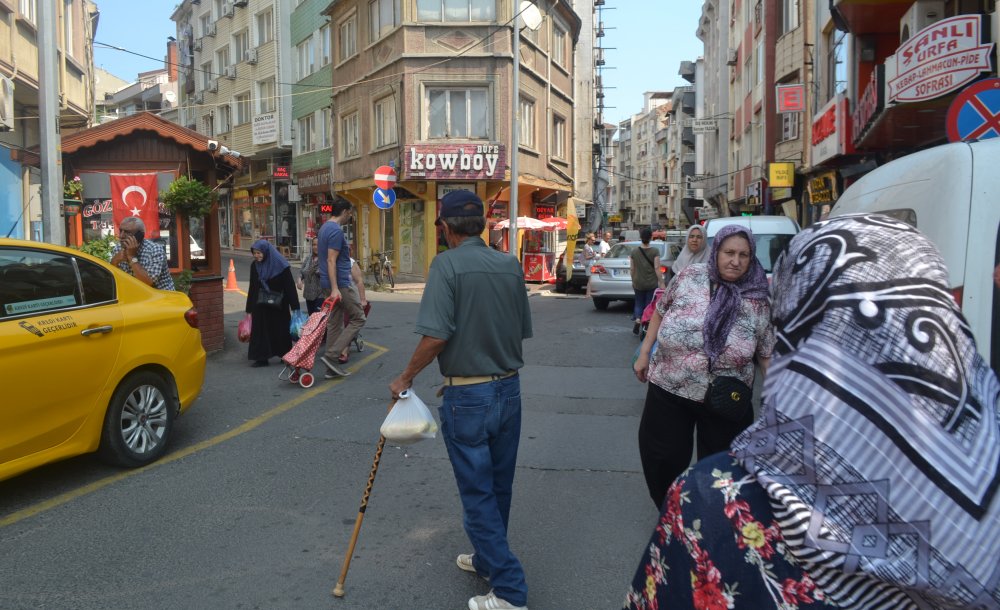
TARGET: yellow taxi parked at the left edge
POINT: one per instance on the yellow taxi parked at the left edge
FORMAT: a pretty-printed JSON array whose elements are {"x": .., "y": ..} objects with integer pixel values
[{"x": 91, "y": 359}]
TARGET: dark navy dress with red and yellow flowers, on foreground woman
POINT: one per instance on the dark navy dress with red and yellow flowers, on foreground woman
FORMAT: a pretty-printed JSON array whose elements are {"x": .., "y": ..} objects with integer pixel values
[{"x": 718, "y": 547}]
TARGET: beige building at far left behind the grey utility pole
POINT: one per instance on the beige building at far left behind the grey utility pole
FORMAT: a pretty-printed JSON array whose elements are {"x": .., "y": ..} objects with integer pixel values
[{"x": 20, "y": 179}]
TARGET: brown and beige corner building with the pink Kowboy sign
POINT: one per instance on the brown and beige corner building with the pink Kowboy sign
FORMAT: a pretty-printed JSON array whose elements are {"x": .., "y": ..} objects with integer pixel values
[{"x": 426, "y": 87}]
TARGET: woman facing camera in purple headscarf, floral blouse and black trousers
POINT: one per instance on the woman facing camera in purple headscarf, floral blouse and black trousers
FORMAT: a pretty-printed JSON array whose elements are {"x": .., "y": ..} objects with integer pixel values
[{"x": 713, "y": 320}]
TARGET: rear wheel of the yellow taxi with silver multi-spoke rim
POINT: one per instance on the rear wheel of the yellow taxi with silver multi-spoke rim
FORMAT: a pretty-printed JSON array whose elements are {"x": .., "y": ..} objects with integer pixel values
[{"x": 139, "y": 420}]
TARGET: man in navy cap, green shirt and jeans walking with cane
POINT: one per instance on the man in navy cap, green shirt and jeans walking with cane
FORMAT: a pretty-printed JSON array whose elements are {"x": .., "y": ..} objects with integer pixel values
[{"x": 473, "y": 318}]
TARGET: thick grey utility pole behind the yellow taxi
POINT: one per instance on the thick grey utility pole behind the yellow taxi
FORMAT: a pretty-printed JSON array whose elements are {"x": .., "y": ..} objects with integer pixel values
[{"x": 50, "y": 142}]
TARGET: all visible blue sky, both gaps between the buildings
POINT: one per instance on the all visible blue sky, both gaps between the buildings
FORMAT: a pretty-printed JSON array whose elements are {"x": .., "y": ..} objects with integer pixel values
[{"x": 645, "y": 45}]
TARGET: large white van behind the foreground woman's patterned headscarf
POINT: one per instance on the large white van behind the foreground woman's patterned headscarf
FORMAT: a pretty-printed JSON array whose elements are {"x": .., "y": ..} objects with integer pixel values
[{"x": 950, "y": 193}]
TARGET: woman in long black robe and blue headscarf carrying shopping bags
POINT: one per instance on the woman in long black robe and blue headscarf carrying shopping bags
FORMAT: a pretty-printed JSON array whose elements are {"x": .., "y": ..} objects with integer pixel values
[{"x": 270, "y": 273}]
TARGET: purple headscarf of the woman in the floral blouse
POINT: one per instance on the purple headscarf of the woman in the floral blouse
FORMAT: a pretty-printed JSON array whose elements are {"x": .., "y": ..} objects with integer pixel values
[{"x": 726, "y": 299}]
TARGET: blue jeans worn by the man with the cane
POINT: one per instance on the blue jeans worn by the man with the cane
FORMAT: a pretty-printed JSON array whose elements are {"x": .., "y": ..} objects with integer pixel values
[{"x": 481, "y": 427}]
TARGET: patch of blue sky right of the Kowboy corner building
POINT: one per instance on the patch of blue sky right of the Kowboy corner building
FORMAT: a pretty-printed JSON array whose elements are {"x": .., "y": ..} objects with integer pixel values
[{"x": 645, "y": 50}]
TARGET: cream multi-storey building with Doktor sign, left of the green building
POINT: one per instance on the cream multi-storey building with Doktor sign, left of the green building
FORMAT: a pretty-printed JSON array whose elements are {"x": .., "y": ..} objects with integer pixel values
[{"x": 237, "y": 82}]
